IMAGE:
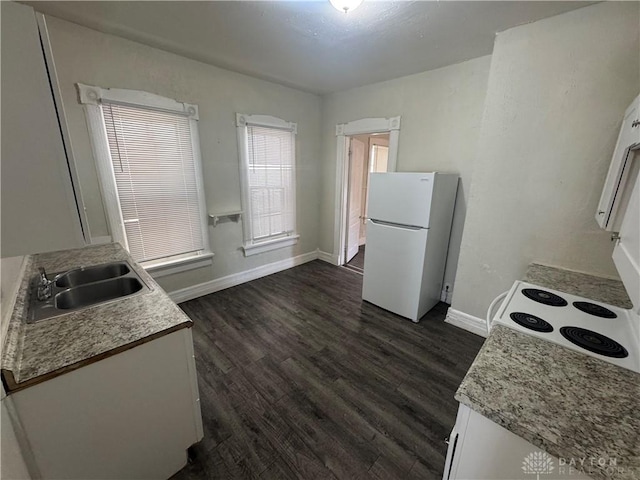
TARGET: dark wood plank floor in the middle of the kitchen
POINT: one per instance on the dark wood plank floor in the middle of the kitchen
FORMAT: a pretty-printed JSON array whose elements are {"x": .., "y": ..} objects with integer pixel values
[{"x": 300, "y": 379}]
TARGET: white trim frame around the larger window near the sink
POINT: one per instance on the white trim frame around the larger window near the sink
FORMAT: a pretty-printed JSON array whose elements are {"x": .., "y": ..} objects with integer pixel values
[{"x": 92, "y": 98}]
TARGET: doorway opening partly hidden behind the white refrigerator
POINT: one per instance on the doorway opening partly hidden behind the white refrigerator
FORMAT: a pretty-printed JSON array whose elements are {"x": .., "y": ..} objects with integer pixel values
[{"x": 368, "y": 153}]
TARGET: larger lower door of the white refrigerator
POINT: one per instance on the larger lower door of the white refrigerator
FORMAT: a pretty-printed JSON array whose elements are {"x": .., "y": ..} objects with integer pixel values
[{"x": 393, "y": 268}]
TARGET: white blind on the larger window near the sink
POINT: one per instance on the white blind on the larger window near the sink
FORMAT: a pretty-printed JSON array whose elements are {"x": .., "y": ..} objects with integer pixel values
[{"x": 156, "y": 178}]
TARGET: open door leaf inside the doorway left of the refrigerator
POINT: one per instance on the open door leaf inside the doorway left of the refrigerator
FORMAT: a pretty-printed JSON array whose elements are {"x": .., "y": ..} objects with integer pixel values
[{"x": 356, "y": 171}]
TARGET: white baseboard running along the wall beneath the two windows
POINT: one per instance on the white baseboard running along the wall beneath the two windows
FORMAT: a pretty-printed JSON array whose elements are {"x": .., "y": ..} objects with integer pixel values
[{"x": 232, "y": 280}]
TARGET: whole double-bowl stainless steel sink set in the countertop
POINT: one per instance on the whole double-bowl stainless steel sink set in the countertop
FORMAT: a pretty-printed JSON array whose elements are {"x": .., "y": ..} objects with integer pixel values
[{"x": 84, "y": 287}]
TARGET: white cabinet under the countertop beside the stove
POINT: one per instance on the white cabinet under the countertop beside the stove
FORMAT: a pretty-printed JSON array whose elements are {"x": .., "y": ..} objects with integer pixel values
[{"x": 480, "y": 449}]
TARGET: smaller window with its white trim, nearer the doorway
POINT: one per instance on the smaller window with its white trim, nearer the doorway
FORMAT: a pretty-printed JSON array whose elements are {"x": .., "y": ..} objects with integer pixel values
[{"x": 267, "y": 158}]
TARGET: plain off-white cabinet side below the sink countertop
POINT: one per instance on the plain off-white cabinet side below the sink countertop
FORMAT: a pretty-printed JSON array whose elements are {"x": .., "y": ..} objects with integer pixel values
[{"x": 130, "y": 416}]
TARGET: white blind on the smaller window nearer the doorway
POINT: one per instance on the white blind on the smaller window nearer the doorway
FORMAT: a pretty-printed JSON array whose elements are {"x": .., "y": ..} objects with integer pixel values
[{"x": 271, "y": 182}]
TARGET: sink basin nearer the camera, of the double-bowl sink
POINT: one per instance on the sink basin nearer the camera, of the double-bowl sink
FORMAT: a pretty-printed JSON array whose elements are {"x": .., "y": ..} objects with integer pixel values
[{"x": 92, "y": 293}]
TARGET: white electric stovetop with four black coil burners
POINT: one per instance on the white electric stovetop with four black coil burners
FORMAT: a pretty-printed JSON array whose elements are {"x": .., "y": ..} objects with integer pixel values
[{"x": 589, "y": 327}]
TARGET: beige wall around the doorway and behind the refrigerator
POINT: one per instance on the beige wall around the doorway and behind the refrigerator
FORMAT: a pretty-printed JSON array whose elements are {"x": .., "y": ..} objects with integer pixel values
[{"x": 441, "y": 113}]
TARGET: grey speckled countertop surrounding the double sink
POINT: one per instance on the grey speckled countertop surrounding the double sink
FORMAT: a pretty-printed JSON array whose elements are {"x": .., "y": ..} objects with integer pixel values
[{"x": 38, "y": 351}]
